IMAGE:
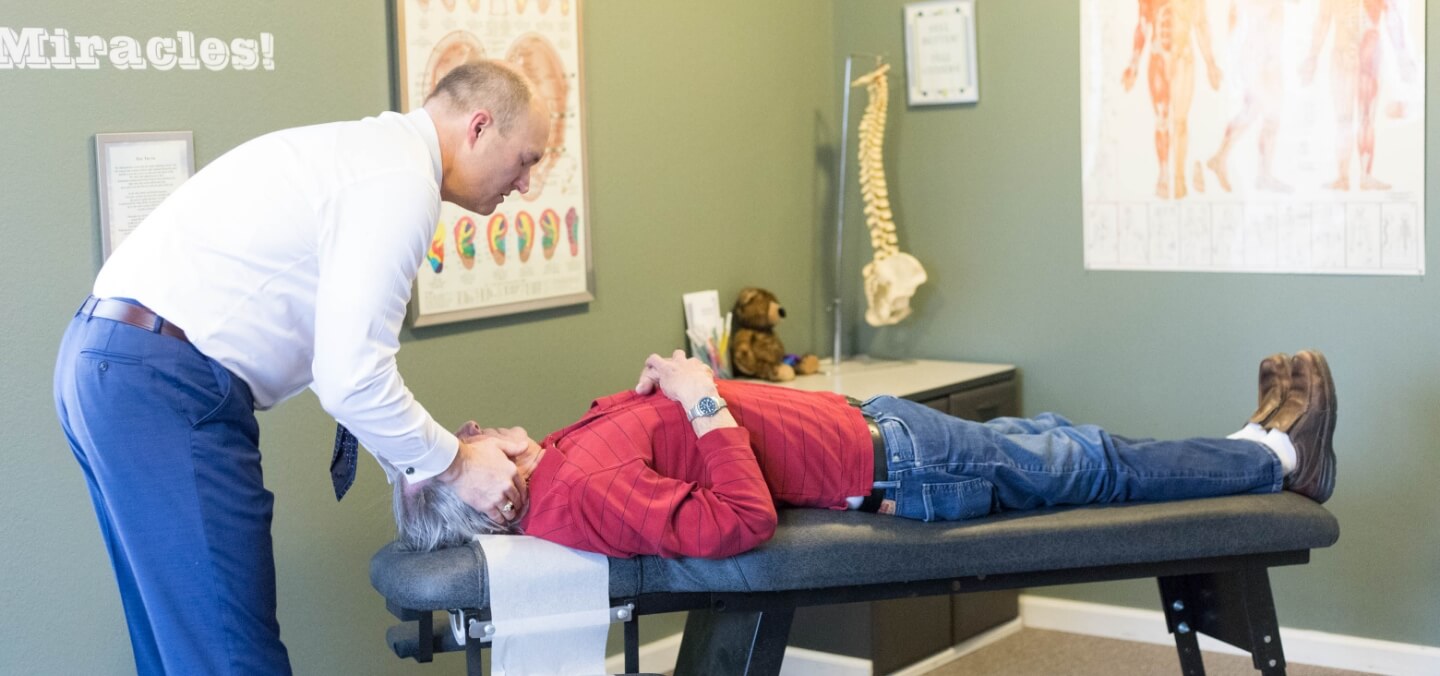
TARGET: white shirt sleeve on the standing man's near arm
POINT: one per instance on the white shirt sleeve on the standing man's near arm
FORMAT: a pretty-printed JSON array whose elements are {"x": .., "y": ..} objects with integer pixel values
[{"x": 371, "y": 249}]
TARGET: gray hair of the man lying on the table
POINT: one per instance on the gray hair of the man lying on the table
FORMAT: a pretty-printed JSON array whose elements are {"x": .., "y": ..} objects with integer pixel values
[{"x": 431, "y": 515}]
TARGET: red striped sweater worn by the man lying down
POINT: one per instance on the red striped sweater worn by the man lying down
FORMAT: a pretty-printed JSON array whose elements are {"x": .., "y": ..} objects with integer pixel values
[{"x": 631, "y": 478}]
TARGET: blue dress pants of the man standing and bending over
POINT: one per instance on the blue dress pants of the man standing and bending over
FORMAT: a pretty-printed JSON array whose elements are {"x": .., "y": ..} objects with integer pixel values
[{"x": 168, "y": 442}]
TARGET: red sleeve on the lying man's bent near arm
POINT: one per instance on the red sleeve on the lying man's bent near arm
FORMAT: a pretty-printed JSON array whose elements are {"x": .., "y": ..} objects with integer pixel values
[{"x": 634, "y": 511}]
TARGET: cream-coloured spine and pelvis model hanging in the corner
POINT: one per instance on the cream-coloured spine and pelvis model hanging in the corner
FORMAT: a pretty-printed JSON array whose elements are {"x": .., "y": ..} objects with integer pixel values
[{"x": 892, "y": 276}]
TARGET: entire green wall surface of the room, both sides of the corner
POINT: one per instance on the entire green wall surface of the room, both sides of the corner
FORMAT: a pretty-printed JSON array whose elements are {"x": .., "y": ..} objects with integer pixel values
[{"x": 712, "y": 132}]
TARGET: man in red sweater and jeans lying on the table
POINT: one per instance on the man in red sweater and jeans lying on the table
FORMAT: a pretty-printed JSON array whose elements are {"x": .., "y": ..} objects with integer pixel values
[{"x": 690, "y": 466}]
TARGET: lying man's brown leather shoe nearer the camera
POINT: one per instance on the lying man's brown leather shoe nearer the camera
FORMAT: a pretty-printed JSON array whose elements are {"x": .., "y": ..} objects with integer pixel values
[{"x": 1308, "y": 416}]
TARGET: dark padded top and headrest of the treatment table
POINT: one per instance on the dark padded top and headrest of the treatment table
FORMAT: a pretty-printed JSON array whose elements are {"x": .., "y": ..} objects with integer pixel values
[{"x": 820, "y": 550}]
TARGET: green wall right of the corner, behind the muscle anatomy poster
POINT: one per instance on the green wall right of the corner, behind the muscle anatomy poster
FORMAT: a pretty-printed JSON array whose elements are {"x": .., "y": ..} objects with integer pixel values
[{"x": 989, "y": 197}]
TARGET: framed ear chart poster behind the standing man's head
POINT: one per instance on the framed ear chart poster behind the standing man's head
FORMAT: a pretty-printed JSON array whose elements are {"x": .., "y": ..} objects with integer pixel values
[{"x": 535, "y": 252}]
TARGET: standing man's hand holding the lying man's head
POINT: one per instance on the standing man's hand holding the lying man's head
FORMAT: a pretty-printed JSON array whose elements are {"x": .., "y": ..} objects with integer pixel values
[{"x": 485, "y": 475}]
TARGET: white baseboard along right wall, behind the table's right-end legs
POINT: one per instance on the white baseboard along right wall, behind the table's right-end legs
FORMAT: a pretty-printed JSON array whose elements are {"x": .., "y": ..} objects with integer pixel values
[{"x": 1301, "y": 646}]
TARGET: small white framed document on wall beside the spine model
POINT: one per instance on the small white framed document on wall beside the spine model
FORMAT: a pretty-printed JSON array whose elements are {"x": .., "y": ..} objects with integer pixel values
[{"x": 940, "y": 50}]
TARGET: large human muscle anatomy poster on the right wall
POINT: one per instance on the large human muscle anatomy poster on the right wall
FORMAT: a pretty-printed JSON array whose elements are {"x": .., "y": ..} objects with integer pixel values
[{"x": 1254, "y": 136}]
